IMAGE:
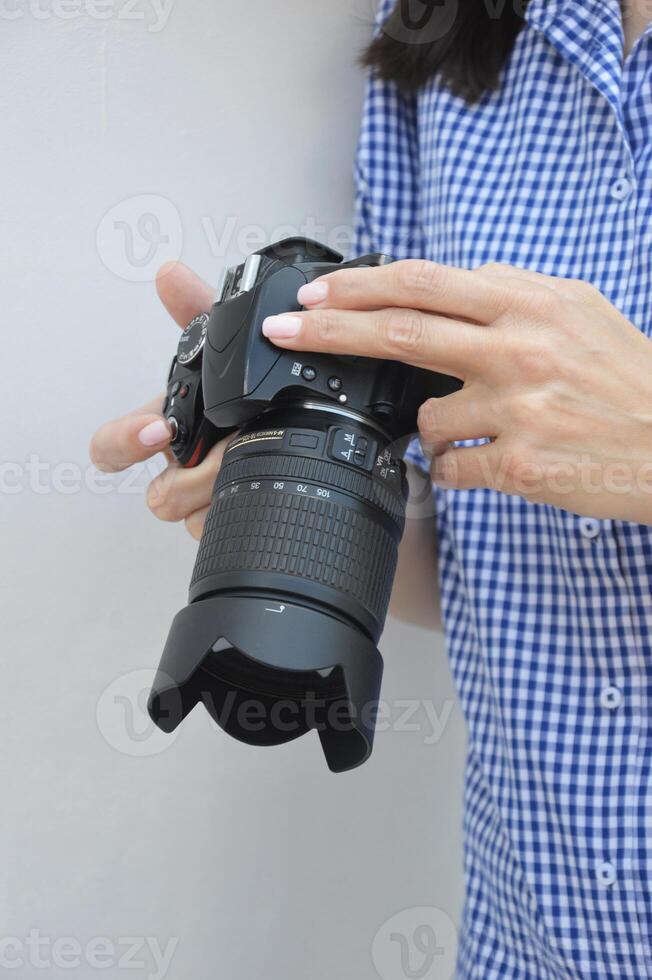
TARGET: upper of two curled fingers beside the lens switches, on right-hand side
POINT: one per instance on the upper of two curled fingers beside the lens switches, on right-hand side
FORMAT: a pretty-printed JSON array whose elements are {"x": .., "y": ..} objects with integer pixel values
[{"x": 457, "y": 417}]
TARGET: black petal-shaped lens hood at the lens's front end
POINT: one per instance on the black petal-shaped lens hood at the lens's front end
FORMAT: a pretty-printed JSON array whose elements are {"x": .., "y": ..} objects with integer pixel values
[{"x": 268, "y": 671}]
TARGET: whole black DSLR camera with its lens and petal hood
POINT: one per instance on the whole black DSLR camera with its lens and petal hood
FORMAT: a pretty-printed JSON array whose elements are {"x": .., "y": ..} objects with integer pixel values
[{"x": 295, "y": 568}]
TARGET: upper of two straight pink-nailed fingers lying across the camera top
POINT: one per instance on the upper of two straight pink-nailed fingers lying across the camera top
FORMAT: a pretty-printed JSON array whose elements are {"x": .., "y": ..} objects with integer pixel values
[{"x": 413, "y": 283}]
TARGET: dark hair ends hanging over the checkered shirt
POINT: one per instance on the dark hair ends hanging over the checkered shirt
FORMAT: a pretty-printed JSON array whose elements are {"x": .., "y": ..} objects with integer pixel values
[{"x": 467, "y": 50}]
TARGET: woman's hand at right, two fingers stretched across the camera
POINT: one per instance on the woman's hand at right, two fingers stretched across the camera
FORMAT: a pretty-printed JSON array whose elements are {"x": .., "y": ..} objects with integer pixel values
[{"x": 554, "y": 375}]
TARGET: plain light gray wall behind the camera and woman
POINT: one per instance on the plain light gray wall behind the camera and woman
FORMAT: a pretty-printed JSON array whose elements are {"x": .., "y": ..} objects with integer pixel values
[{"x": 212, "y": 117}]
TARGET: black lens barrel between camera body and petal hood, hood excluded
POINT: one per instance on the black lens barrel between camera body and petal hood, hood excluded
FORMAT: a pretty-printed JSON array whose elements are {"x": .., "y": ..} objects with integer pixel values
[{"x": 302, "y": 511}]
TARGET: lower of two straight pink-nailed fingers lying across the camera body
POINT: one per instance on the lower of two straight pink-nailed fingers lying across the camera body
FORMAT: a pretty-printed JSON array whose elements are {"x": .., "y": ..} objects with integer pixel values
[{"x": 411, "y": 336}]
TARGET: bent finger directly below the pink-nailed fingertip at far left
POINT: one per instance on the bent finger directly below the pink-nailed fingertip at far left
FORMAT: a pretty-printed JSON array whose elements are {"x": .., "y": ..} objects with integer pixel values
[{"x": 177, "y": 492}]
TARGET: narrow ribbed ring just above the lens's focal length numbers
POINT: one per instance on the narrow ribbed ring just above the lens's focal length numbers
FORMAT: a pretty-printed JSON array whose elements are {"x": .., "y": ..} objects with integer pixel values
[{"x": 310, "y": 470}]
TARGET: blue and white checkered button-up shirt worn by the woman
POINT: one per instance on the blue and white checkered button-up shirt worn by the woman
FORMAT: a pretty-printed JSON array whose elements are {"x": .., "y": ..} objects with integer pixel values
[{"x": 548, "y": 615}]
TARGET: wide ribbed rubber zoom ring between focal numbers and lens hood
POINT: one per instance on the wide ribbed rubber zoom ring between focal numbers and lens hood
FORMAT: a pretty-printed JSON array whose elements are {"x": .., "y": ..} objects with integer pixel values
[{"x": 306, "y": 538}]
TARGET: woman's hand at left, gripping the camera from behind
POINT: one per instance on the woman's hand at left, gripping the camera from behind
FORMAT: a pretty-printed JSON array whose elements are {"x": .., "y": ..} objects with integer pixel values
[{"x": 177, "y": 494}]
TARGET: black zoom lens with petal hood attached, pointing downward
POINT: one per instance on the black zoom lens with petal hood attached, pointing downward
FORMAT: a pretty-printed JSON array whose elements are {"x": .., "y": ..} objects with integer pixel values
[{"x": 291, "y": 585}]
